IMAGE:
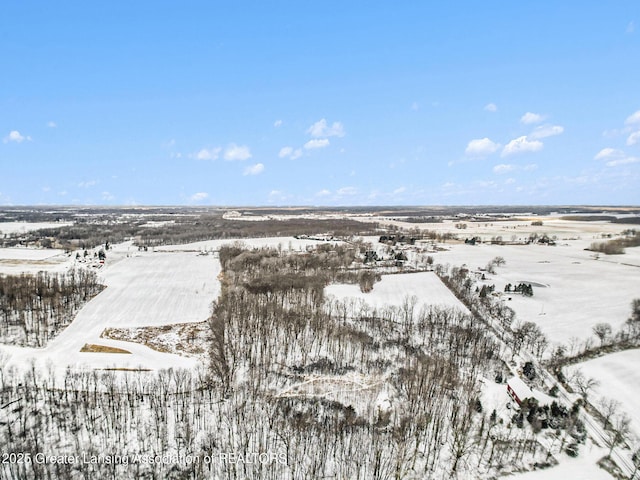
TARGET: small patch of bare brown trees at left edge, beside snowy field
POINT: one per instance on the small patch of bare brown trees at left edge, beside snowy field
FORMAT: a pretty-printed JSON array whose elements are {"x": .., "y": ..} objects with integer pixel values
[{"x": 35, "y": 308}]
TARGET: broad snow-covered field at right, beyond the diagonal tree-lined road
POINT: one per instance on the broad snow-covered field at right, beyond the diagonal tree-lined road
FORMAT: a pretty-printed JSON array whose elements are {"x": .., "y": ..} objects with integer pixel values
[{"x": 576, "y": 291}]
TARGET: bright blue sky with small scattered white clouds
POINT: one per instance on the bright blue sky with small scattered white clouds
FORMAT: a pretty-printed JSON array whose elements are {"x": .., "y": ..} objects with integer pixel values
[{"x": 331, "y": 103}]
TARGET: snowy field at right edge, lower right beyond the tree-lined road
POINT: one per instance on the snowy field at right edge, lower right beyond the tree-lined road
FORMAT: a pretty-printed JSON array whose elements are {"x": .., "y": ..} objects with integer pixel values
[{"x": 619, "y": 378}]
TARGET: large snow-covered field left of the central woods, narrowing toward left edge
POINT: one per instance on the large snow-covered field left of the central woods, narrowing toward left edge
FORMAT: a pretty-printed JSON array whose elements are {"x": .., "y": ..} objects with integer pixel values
[{"x": 144, "y": 289}]
